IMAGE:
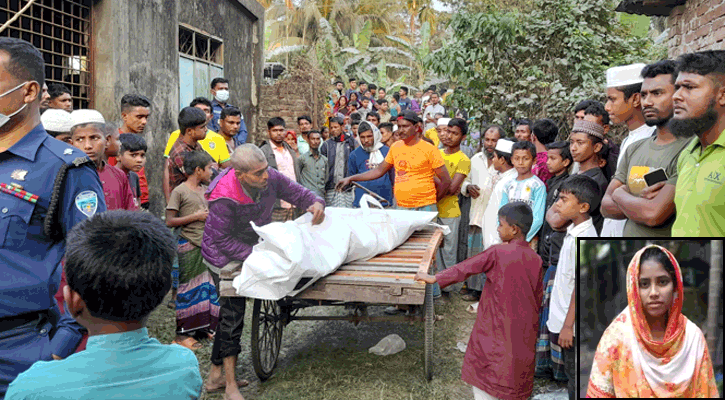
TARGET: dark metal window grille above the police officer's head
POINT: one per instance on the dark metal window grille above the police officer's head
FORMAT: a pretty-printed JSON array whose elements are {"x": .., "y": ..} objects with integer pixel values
[{"x": 61, "y": 30}]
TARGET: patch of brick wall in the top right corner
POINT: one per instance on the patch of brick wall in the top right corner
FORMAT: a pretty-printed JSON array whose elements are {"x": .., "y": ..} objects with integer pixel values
[{"x": 697, "y": 25}]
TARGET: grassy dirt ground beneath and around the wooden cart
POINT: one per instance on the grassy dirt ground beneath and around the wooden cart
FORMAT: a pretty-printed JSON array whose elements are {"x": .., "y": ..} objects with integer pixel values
[{"x": 329, "y": 359}]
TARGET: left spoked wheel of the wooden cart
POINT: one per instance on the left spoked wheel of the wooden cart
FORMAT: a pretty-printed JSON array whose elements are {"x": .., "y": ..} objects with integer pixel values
[{"x": 267, "y": 325}]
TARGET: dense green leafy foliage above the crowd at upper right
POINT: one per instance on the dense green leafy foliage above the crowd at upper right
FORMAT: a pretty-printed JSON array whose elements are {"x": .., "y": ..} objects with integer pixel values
[{"x": 535, "y": 64}]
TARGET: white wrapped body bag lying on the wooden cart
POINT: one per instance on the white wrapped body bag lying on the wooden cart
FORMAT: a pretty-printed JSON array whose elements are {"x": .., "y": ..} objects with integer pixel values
[{"x": 293, "y": 255}]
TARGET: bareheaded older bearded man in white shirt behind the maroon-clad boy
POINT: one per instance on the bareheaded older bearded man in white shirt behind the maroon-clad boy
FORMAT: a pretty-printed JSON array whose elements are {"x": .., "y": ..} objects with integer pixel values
[{"x": 478, "y": 185}]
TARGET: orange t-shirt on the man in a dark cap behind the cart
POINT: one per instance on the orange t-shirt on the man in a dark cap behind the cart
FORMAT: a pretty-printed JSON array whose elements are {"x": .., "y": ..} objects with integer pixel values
[{"x": 414, "y": 172}]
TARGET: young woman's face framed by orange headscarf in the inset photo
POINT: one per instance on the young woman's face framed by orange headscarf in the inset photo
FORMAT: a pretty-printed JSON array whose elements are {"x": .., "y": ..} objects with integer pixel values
[{"x": 656, "y": 289}]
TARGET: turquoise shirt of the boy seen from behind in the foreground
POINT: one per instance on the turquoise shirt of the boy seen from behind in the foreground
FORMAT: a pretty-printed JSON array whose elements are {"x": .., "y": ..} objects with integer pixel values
[{"x": 127, "y": 365}]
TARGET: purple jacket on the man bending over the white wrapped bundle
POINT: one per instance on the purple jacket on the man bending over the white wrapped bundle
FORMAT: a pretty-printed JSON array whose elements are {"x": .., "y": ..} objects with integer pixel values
[{"x": 228, "y": 234}]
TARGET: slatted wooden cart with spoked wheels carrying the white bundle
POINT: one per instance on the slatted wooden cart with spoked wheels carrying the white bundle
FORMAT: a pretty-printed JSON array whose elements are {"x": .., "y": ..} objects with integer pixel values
[{"x": 386, "y": 279}]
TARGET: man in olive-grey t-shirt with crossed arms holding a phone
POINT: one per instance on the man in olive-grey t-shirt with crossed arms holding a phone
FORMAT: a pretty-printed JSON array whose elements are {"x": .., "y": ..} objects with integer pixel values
[{"x": 648, "y": 217}]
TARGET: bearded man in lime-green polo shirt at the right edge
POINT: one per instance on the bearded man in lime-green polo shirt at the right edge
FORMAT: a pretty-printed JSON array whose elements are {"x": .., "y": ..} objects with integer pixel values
[{"x": 699, "y": 109}]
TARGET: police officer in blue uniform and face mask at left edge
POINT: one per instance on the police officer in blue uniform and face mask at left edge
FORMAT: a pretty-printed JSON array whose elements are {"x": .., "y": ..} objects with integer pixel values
[{"x": 46, "y": 187}]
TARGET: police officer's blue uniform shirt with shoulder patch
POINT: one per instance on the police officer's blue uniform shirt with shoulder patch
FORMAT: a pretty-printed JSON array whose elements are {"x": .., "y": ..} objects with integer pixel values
[{"x": 30, "y": 266}]
